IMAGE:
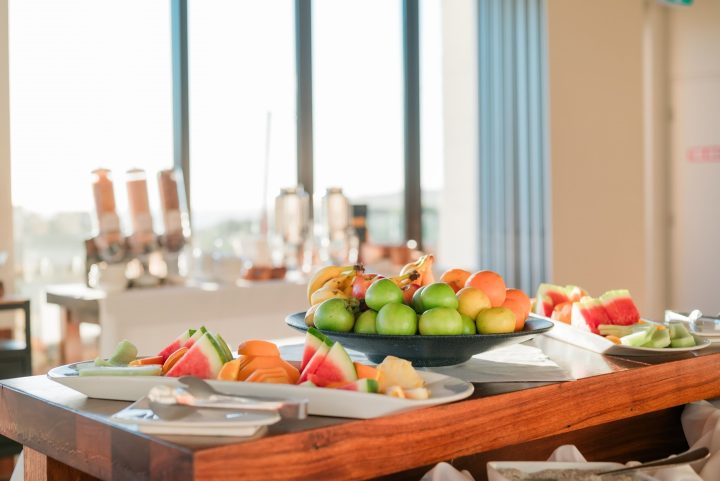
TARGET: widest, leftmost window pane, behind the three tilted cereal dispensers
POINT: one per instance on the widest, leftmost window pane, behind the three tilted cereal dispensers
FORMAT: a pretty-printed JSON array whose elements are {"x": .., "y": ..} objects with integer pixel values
[{"x": 84, "y": 93}]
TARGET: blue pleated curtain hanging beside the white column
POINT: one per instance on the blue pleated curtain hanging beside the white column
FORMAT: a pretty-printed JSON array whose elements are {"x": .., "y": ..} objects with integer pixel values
[{"x": 514, "y": 191}]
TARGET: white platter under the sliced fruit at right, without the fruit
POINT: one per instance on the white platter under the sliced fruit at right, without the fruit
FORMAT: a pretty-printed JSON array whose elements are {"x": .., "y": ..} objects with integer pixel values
[{"x": 595, "y": 343}]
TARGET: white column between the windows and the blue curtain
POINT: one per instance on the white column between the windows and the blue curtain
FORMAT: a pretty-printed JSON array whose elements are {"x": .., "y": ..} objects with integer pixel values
[{"x": 459, "y": 204}]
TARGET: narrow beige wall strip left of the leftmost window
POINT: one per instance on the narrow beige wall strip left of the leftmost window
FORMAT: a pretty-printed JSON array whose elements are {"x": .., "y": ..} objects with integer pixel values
[{"x": 6, "y": 237}]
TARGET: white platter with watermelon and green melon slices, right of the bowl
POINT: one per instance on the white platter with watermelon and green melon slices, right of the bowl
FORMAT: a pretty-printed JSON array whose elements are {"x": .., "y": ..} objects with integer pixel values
[{"x": 609, "y": 324}]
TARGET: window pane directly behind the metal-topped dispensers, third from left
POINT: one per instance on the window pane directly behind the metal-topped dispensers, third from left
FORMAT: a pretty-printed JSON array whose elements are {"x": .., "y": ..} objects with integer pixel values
[{"x": 358, "y": 108}]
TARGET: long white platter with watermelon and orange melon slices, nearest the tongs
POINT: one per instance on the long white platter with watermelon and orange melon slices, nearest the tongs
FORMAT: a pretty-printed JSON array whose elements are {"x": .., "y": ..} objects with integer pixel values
[{"x": 333, "y": 384}]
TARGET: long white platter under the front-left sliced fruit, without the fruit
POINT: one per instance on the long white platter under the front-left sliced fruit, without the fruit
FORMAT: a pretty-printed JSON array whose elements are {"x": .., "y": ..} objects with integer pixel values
[{"x": 321, "y": 401}]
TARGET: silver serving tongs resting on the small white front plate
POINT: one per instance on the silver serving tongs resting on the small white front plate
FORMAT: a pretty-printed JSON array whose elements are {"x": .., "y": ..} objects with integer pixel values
[{"x": 177, "y": 402}]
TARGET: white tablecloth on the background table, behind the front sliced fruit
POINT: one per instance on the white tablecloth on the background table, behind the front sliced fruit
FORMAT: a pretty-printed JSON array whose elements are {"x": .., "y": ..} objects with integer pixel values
[{"x": 151, "y": 318}]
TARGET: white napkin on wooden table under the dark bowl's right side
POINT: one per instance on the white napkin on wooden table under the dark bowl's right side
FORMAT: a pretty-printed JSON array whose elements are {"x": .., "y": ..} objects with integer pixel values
[{"x": 516, "y": 363}]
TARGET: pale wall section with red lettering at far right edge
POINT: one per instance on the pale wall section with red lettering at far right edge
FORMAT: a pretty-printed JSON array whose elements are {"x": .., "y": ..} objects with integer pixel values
[{"x": 695, "y": 85}]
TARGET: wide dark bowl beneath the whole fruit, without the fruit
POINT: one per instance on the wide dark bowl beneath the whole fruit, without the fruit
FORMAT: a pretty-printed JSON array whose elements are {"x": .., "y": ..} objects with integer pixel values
[{"x": 426, "y": 351}]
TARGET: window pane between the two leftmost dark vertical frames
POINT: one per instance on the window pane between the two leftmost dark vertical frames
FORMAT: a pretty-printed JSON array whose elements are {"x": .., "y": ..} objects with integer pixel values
[{"x": 242, "y": 114}]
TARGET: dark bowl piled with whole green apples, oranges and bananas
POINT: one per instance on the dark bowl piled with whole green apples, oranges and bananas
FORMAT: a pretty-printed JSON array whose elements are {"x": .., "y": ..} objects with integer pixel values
[{"x": 412, "y": 316}]
